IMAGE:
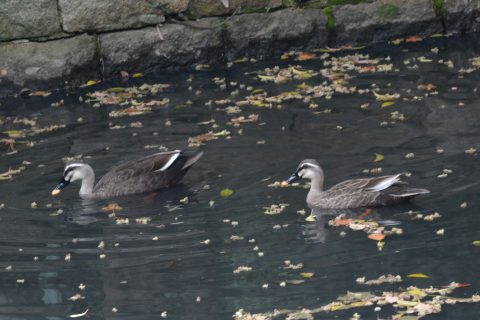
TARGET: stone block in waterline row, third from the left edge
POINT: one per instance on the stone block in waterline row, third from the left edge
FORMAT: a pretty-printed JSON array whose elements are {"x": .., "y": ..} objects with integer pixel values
[{"x": 273, "y": 33}]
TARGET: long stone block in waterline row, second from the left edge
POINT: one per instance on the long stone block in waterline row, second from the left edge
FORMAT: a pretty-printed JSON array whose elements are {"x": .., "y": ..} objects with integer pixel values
[{"x": 197, "y": 42}]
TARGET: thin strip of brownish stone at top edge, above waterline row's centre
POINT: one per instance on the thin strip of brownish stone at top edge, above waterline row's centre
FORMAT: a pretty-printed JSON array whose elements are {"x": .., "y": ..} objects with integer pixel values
[{"x": 209, "y": 8}]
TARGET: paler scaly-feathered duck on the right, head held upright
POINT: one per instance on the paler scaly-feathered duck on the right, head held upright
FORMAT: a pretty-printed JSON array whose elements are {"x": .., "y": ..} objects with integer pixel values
[{"x": 355, "y": 193}]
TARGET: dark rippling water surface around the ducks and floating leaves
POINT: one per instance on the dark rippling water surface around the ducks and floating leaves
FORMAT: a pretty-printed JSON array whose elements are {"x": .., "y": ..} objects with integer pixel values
[{"x": 179, "y": 273}]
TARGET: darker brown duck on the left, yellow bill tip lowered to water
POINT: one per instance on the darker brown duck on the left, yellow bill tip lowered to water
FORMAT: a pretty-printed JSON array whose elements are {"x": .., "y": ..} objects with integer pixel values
[{"x": 153, "y": 172}]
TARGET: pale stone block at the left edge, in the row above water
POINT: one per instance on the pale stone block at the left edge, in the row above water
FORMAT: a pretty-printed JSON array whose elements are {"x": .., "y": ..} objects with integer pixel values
[{"x": 33, "y": 63}]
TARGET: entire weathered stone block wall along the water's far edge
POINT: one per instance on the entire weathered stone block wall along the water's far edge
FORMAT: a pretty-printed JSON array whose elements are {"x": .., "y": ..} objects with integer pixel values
[{"x": 47, "y": 39}]
